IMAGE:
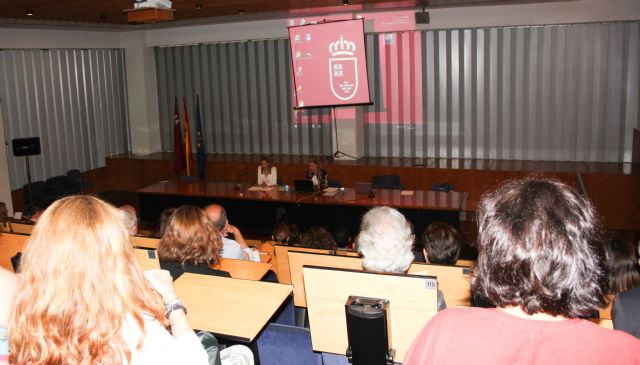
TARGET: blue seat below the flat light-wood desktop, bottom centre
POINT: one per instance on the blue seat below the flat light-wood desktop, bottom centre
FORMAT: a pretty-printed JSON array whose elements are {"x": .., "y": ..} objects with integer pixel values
[{"x": 280, "y": 344}]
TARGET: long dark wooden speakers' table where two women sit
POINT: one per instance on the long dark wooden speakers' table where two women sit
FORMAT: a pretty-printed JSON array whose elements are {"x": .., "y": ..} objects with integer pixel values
[{"x": 260, "y": 211}]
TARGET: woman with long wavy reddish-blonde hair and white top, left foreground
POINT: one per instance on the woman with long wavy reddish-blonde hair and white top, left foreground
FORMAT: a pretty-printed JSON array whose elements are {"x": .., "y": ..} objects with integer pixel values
[{"x": 83, "y": 298}]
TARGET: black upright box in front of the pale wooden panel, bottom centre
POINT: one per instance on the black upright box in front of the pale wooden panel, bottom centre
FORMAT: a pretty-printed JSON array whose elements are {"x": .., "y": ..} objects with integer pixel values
[{"x": 368, "y": 331}]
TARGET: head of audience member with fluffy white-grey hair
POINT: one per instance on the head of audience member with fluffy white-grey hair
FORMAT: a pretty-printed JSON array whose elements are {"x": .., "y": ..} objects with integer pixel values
[{"x": 385, "y": 241}]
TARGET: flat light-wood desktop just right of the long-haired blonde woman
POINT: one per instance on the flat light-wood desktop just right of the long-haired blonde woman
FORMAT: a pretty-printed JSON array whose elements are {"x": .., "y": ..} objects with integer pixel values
[{"x": 232, "y": 308}]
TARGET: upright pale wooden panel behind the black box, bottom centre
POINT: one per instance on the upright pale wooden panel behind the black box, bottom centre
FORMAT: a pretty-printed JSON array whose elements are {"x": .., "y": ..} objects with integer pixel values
[{"x": 413, "y": 301}]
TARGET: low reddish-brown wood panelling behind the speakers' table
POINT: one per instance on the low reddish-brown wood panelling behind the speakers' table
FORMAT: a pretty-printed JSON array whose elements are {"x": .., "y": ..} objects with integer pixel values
[{"x": 614, "y": 188}]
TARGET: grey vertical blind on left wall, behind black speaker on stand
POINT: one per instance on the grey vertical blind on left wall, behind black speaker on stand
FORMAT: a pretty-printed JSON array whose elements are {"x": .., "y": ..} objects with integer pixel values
[{"x": 74, "y": 100}]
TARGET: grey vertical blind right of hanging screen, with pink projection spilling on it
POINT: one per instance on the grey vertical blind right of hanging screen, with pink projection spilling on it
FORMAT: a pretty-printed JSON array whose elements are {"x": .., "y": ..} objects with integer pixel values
[{"x": 557, "y": 92}]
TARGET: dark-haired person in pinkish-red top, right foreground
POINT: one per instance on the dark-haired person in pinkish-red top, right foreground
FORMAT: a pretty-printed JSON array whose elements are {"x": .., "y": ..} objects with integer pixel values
[{"x": 540, "y": 263}]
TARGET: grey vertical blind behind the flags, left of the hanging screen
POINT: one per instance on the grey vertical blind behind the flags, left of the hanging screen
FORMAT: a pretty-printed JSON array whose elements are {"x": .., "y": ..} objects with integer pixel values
[{"x": 245, "y": 91}]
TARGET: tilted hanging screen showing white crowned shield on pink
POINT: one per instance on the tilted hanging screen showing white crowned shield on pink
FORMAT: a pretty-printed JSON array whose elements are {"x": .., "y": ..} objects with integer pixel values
[{"x": 329, "y": 64}]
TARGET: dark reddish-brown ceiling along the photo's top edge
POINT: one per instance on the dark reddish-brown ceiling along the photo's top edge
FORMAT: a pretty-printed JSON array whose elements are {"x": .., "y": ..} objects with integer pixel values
[{"x": 110, "y": 12}]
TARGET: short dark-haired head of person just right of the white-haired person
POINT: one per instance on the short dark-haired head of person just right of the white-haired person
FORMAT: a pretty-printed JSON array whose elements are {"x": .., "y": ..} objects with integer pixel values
[{"x": 441, "y": 244}]
